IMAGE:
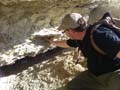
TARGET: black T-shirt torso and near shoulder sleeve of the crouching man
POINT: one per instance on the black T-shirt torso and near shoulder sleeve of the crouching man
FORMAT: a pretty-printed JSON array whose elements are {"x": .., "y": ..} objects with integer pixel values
[{"x": 106, "y": 40}]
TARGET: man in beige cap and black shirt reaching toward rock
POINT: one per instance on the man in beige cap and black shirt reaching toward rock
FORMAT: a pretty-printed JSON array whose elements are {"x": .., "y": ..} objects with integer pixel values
[{"x": 103, "y": 69}]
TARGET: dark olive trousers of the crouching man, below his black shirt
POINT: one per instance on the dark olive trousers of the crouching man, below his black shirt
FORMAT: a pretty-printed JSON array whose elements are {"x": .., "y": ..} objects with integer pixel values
[{"x": 88, "y": 81}]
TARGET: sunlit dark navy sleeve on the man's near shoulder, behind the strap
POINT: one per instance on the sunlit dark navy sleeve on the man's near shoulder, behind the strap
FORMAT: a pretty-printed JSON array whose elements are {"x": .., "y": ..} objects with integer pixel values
[{"x": 107, "y": 40}]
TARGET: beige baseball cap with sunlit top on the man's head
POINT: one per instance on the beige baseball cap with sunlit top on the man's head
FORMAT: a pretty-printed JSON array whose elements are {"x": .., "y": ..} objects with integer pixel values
[{"x": 70, "y": 21}]
